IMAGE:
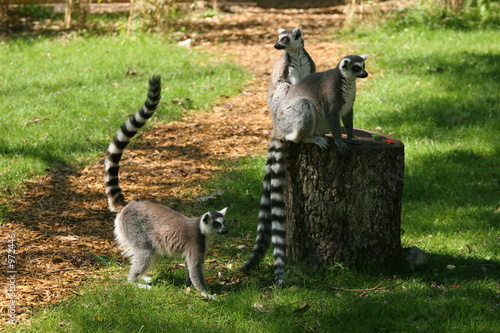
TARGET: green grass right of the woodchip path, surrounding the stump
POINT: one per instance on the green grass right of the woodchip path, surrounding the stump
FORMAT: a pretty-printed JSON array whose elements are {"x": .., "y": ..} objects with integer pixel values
[{"x": 448, "y": 120}]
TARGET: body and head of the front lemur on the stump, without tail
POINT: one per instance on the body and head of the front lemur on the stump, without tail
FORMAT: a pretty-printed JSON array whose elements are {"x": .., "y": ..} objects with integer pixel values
[{"x": 313, "y": 107}]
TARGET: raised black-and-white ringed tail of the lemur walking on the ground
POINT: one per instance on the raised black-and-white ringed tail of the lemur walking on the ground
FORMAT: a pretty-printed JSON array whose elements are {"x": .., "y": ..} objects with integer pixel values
[{"x": 116, "y": 200}]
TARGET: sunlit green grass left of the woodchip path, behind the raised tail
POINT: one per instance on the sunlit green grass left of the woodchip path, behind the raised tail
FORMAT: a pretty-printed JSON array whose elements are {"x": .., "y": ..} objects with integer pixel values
[{"x": 62, "y": 99}]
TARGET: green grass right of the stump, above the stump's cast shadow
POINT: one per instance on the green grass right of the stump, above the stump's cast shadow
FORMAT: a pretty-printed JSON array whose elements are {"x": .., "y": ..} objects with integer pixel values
[{"x": 437, "y": 91}]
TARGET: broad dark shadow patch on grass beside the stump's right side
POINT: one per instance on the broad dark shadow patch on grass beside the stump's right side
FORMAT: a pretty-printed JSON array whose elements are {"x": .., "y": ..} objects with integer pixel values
[{"x": 455, "y": 178}]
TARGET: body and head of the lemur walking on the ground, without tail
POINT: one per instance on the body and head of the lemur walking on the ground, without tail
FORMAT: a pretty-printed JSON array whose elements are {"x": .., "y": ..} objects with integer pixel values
[{"x": 147, "y": 231}]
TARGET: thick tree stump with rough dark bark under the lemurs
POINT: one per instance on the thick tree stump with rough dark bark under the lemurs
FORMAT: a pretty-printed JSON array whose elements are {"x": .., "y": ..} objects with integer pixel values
[{"x": 345, "y": 208}]
